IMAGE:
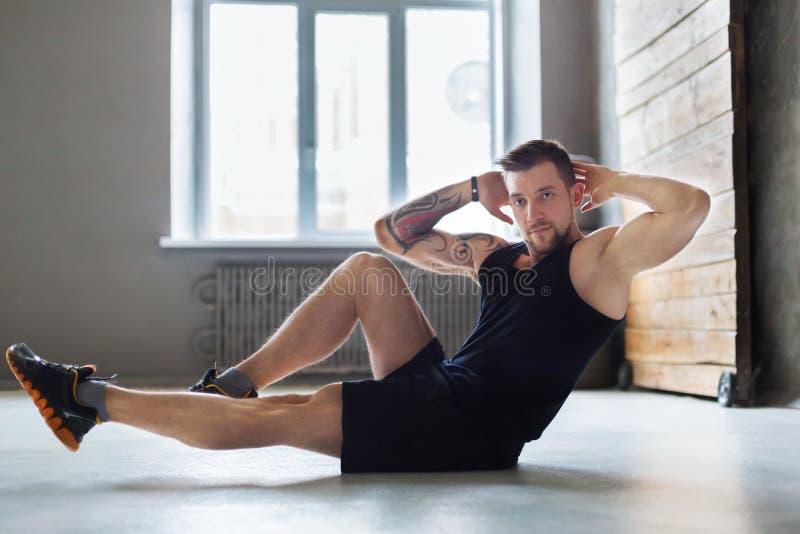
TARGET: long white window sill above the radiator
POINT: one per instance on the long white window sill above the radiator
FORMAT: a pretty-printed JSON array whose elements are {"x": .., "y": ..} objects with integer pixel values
[{"x": 167, "y": 242}]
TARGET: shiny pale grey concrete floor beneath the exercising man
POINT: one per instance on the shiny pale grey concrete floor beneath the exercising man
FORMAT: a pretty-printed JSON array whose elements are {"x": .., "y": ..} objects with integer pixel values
[{"x": 612, "y": 461}]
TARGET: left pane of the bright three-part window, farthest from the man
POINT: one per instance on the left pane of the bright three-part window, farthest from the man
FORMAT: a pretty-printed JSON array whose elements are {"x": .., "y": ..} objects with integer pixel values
[{"x": 253, "y": 121}]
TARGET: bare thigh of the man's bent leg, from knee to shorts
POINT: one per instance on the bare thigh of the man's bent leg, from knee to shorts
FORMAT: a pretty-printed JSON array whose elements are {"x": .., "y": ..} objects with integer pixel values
[{"x": 394, "y": 324}]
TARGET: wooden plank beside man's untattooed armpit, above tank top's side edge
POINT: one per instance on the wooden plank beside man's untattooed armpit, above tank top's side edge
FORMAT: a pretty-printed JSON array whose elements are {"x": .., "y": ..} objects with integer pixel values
[{"x": 705, "y": 280}]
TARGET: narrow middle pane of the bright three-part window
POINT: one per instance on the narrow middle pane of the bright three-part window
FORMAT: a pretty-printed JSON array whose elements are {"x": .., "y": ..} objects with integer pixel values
[{"x": 352, "y": 54}]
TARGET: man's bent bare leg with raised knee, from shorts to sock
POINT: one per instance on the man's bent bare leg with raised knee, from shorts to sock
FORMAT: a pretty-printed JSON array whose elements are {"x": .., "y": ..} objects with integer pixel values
[{"x": 367, "y": 287}]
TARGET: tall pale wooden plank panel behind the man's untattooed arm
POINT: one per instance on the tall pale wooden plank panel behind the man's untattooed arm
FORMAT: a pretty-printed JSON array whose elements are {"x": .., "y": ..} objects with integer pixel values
[{"x": 678, "y": 116}]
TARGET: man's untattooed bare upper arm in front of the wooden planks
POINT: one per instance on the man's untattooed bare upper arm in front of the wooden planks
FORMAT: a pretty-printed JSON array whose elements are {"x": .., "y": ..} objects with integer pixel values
[{"x": 652, "y": 238}]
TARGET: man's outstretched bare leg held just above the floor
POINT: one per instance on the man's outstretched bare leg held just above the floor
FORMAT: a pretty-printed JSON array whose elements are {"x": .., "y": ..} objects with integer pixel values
[{"x": 217, "y": 422}]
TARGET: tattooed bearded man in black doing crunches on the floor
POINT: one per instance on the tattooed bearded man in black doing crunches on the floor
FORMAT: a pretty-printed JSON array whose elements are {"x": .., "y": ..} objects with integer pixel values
[{"x": 548, "y": 303}]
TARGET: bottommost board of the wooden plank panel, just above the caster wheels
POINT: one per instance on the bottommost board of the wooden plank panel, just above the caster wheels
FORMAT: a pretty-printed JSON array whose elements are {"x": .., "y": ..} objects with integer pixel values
[{"x": 695, "y": 379}]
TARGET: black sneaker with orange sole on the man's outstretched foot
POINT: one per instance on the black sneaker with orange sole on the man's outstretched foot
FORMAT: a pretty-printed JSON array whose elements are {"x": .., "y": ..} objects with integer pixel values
[{"x": 52, "y": 388}]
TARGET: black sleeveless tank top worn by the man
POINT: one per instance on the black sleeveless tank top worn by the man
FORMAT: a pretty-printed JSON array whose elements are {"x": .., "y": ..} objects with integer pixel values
[{"x": 533, "y": 338}]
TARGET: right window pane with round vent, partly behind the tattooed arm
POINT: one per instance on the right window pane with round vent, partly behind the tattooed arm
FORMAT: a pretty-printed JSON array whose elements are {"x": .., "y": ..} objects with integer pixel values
[{"x": 449, "y": 136}]
